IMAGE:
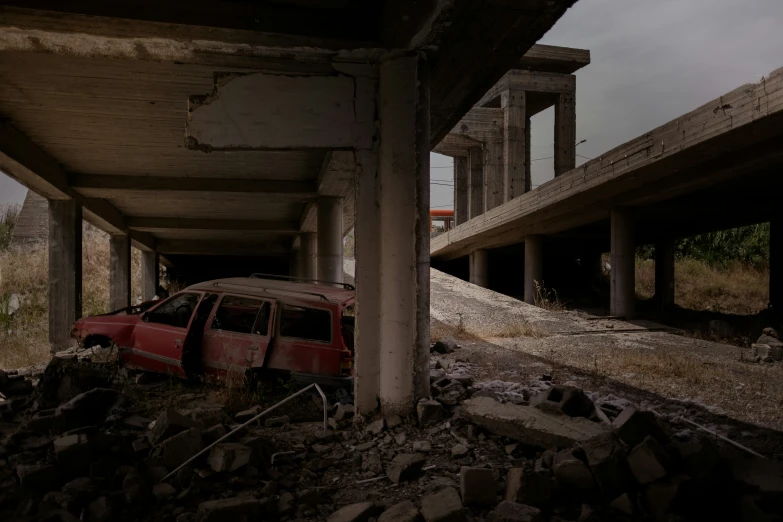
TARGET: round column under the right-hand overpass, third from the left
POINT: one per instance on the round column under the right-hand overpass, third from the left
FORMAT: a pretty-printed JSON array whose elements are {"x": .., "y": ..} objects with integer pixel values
[{"x": 623, "y": 257}]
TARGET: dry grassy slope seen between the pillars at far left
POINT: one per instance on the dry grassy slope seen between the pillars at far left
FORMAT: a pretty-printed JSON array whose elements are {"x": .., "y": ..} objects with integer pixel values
[{"x": 24, "y": 273}]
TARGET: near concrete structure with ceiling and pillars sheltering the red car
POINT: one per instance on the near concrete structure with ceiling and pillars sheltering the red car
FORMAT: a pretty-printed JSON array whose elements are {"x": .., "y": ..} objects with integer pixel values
[{"x": 259, "y": 133}]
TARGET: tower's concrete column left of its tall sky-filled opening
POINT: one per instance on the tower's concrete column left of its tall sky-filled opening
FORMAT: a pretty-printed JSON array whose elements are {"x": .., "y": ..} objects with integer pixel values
[{"x": 515, "y": 175}]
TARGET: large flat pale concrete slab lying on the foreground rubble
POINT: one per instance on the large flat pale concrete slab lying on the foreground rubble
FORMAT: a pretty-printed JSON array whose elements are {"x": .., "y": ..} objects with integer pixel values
[{"x": 531, "y": 425}]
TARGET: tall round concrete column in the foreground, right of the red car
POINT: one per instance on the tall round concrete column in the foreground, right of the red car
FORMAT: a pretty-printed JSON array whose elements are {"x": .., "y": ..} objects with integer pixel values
[{"x": 404, "y": 173}]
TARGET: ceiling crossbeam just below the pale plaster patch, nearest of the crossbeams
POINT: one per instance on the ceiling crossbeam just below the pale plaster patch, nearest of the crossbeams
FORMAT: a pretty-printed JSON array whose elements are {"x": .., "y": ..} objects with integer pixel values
[{"x": 95, "y": 184}]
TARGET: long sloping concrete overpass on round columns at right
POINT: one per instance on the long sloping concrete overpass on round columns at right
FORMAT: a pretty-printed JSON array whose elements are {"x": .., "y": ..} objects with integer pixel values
[{"x": 714, "y": 168}]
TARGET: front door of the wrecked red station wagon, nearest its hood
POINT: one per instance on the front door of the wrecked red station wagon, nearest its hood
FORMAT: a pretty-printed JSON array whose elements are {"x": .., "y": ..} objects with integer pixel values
[{"x": 158, "y": 340}]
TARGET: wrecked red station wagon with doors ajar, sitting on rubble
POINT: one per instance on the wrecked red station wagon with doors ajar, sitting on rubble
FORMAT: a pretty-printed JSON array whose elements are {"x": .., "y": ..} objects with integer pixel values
[{"x": 238, "y": 324}]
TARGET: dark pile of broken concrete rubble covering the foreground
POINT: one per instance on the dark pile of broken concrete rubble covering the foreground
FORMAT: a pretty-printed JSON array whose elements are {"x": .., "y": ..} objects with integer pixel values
[{"x": 465, "y": 457}]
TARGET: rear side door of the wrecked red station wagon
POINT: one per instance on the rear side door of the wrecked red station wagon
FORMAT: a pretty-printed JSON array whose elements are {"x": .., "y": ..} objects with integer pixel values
[{"x": 239, "y": 334}]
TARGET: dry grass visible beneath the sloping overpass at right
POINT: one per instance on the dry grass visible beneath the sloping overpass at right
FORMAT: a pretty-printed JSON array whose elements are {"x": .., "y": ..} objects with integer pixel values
[{"x": 736, "y": 289}]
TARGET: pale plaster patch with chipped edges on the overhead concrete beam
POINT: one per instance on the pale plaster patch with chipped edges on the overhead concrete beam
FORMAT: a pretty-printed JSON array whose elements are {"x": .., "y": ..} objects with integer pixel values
[{"x": 269, "y": 111}]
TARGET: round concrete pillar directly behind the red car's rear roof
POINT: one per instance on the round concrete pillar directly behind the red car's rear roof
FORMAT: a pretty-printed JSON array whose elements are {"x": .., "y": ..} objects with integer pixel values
[{"x": 330, "y": 239}]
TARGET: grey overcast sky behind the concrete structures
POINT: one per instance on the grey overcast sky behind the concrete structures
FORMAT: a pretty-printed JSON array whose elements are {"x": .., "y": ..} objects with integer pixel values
[{"x": 651, "y": 62}]
